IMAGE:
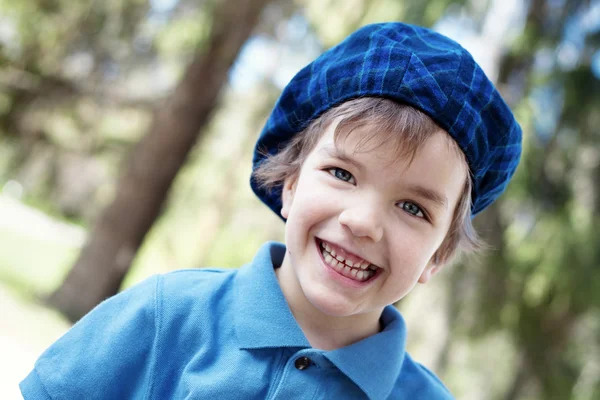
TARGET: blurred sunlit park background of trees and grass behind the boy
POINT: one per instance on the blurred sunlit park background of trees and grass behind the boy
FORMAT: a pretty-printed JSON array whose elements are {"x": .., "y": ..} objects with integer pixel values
[{"x": 126, "y": 135}]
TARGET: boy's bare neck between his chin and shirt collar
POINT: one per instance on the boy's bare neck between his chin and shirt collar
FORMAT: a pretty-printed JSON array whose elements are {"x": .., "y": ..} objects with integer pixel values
[{"x": 324, "y": 331}]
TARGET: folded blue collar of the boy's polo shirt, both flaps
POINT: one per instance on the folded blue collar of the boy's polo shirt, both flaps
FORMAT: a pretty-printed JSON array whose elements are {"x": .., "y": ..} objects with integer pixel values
[{"x": 263, "y": 319}]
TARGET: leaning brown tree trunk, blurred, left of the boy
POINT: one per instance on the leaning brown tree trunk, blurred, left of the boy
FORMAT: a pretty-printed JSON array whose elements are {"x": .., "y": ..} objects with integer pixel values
[{"x": 154, "y": 163}]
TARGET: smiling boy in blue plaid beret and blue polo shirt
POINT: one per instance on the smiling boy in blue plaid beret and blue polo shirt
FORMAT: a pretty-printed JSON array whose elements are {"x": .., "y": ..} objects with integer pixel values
[{"x": 377, "y": 155}]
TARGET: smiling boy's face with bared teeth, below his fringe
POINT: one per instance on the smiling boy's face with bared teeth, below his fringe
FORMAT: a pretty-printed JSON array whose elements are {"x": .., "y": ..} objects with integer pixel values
[{"x": 387, "y": 216}]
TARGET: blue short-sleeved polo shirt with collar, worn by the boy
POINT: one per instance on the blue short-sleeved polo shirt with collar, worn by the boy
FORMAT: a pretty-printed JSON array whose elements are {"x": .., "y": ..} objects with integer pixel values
[{"x": 220, "y": 334}]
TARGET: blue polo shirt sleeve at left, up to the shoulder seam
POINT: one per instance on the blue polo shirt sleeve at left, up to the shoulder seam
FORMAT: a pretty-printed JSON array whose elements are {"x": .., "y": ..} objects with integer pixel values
[{"x": 108, "y": 354}]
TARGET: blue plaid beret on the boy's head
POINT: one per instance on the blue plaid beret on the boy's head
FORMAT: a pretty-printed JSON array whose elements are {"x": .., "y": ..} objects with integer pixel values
[{"x": 411, "y": 65}]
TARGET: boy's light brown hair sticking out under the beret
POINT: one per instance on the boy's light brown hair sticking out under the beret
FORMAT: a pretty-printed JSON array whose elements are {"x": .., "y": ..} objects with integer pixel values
[{"x": 401, "y": 126}]
